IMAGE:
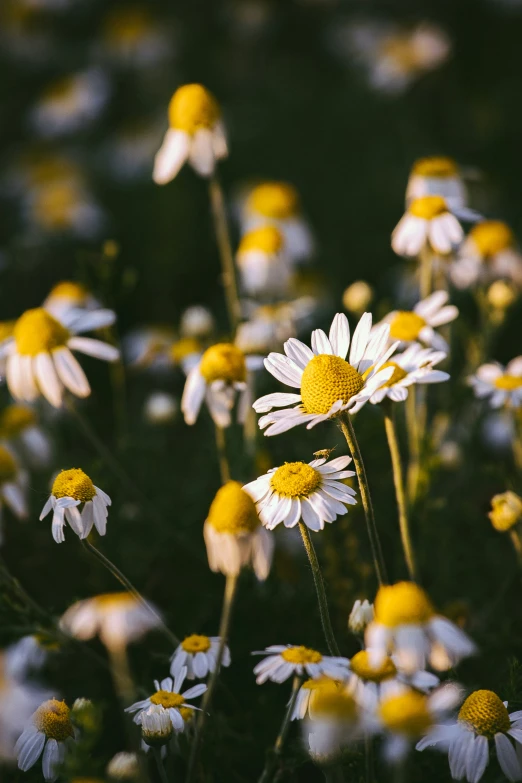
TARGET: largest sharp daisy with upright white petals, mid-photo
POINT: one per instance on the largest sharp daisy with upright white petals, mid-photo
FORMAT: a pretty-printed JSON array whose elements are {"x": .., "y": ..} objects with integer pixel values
[{"x": 327, "y": 382}]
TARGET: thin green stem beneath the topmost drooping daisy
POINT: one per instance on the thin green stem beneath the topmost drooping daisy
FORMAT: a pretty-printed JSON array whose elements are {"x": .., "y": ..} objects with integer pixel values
[{"x": 219, "y": 215}]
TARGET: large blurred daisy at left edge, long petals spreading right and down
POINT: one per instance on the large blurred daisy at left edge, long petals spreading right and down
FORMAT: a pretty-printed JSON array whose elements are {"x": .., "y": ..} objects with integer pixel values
[{"x": 40, "y": 359}]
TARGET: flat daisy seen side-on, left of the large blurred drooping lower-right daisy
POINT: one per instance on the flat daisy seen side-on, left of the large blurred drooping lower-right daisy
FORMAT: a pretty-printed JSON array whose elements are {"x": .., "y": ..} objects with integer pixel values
[{"x": 286, "y": 660}]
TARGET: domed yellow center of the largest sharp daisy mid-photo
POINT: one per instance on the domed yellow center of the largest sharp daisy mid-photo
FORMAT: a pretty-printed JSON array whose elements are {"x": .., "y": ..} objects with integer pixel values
[{"x": 327, "y": 379}]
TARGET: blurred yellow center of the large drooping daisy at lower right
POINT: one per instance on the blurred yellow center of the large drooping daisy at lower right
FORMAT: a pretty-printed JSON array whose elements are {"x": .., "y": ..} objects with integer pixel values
[{"x": 404, "y": 603}]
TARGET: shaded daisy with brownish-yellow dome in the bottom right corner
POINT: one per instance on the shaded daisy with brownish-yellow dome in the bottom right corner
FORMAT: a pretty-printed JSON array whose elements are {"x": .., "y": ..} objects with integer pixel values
[{"x": 482, "y": 719}]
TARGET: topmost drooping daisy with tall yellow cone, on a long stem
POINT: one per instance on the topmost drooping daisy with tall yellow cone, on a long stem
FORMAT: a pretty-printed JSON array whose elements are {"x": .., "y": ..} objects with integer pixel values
[{"x": 196, "y": 134}]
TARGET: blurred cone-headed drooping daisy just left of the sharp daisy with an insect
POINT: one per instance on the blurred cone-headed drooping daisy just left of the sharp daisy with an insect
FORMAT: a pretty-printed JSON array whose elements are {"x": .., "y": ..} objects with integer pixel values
[{"x": 234, "y": 535}]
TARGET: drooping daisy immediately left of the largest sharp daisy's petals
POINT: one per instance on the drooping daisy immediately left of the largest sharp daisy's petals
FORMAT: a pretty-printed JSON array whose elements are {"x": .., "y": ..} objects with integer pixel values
[{"x": 217, "y": 377}]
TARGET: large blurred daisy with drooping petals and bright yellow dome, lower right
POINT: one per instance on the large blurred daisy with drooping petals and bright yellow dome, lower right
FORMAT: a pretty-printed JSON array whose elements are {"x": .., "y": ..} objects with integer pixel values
[{"x": 407, "y": 626}]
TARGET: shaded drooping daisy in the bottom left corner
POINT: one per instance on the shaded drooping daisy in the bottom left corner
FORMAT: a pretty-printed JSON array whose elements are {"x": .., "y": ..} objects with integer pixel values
[{"x": 49, "y": 734}]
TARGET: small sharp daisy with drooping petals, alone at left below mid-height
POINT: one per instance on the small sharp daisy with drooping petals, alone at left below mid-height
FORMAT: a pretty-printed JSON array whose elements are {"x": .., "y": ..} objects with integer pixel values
[{"x": 70, "y": 489}]
